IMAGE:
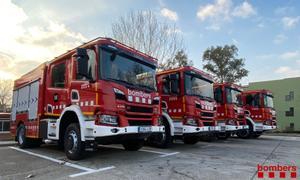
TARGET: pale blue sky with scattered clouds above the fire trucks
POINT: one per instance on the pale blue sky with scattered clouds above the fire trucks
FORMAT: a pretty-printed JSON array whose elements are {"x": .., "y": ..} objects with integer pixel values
[{"x": 267, "y": 33}]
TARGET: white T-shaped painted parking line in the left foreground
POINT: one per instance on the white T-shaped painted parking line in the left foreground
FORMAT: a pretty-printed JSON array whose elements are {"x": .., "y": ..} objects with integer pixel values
[{"x": 76, "y": 166}]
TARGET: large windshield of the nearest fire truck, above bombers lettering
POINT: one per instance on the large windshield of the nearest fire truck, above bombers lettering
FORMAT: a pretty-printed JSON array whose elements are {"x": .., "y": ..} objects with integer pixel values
[{"x": 123, "y": 68}]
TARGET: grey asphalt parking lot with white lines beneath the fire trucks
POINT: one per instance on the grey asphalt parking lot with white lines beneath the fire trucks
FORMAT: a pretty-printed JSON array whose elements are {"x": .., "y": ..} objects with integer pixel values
[{"x": 229, "y": 159}]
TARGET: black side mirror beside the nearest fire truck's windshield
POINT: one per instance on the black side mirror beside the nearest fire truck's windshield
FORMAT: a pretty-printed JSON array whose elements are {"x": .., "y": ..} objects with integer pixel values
[{"x": 82, "y": 62}]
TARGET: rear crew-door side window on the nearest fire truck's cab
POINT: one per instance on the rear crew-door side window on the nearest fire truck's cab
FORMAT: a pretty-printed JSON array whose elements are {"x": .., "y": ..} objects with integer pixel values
[{"x": 58, "y": 75}]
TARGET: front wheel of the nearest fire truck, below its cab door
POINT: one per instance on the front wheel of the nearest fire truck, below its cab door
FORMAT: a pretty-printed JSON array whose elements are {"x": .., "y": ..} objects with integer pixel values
[{"x": 74, "y": 147}]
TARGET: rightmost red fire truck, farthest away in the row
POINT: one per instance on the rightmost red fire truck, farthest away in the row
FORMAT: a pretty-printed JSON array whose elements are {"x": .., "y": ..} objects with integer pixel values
[{"x": 259, "y": 110}]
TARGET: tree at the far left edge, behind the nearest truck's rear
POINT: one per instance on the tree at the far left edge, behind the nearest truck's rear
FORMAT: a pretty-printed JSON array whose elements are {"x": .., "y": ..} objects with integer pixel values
[{"x": 5, "y": 94}]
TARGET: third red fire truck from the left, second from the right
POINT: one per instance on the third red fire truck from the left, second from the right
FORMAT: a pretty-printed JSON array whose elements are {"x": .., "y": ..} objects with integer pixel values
[{"x": 230, "y": 112}]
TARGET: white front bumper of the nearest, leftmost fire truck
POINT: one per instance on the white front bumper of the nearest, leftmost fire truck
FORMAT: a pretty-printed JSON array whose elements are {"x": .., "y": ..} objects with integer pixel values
[{"x": 102, "y": 131}]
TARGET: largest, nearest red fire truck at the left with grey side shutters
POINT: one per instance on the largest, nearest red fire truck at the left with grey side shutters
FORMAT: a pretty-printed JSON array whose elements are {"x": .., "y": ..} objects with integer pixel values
[{"x": 101, "y": 92}]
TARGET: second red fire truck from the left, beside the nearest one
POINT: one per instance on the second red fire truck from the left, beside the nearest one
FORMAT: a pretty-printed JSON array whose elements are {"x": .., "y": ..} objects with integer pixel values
[{"x": 188, "y": 106}]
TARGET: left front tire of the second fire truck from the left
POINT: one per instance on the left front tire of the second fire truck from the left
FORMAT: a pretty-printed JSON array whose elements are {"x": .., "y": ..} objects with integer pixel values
[{"x": 162, "y": 140}]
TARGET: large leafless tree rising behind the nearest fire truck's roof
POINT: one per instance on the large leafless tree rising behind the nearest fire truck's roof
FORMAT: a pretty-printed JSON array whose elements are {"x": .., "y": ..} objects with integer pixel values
[{"x": 142, "y": 31}]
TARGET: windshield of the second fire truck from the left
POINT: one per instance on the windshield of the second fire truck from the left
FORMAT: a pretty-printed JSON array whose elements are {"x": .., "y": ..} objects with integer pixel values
[{"x": 197, "y": 86}]
